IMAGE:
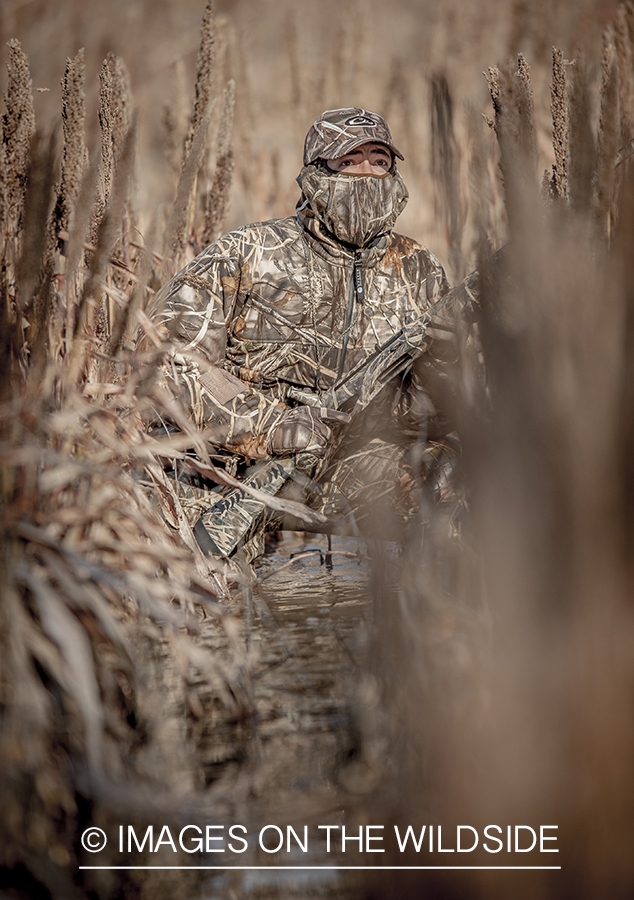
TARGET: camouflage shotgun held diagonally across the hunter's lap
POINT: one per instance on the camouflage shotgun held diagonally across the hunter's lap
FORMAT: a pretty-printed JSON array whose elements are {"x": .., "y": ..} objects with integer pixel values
[{"x": 237, "y": 514}]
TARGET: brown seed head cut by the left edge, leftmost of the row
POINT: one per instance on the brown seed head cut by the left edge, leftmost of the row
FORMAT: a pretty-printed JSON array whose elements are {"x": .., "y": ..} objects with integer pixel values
[{"x": 18, "y": 127}]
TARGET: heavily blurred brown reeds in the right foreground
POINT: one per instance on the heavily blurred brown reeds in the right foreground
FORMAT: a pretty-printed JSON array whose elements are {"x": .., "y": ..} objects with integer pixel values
[{"x": 507, "y": 689}]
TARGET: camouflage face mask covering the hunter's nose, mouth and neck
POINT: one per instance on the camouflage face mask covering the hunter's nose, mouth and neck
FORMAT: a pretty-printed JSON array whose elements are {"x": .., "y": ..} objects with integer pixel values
[{"x": 355, "y": 208}]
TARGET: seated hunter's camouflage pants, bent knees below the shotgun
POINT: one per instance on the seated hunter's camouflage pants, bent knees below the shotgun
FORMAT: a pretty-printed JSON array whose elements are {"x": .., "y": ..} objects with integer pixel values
[{"x": 369, "y": 492}]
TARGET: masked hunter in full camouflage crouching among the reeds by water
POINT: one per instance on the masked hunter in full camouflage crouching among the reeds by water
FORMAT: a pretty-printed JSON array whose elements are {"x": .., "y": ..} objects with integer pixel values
[{"x": 267, "y": 317}]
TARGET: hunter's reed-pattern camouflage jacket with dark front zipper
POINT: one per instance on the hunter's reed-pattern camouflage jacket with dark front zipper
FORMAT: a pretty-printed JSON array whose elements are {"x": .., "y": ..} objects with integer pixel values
[{"x": 265, "y": 309}]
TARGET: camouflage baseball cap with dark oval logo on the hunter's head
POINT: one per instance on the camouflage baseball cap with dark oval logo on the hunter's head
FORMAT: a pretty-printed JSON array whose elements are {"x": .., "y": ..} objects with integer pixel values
[{"x": 339, "y": 131}]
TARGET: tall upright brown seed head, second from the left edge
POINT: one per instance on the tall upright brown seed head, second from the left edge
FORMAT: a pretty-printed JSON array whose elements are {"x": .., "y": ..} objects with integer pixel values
[{"x": 75, "y": 154}]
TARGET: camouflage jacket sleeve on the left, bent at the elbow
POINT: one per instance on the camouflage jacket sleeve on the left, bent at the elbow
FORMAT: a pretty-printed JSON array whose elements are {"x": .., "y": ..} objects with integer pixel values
[{"x": 194, "y": 313}]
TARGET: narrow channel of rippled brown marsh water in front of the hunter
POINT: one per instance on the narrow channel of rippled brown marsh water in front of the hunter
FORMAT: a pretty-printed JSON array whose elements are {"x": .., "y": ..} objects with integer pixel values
[{"x": 294, "y": 764}]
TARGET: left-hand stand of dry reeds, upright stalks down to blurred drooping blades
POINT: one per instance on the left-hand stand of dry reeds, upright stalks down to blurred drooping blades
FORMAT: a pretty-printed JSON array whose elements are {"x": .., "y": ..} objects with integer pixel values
[{"x": 87, "y": 562}]
